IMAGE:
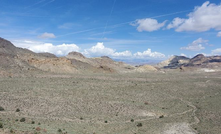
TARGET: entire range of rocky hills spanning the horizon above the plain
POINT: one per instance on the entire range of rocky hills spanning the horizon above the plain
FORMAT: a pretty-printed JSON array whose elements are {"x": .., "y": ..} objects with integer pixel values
[{"x": 14, "y": 60}]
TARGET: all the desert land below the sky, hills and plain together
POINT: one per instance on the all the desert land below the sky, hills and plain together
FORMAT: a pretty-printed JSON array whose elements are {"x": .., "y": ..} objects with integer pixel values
[{"x": 41, "y": 93}]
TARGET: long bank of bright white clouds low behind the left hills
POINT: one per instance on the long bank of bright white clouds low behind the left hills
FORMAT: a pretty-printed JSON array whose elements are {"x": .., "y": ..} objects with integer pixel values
[{"x": 95, "y": 51}]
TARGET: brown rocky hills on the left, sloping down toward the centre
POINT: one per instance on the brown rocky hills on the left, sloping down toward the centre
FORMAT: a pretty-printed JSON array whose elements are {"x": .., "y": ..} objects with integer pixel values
[{"x": 18, "y": 60}]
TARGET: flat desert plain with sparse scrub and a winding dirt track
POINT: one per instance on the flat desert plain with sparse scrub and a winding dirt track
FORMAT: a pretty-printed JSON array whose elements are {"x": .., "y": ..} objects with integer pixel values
[{"x": 166, "y": 102}]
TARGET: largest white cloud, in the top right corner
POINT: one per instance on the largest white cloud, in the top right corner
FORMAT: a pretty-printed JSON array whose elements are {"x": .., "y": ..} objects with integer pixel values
[{"x": 203, "y": 18}]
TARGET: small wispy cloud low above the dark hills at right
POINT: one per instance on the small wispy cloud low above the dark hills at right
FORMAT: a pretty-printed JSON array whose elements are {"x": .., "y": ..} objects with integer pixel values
[{"x": 196, "y": 45}]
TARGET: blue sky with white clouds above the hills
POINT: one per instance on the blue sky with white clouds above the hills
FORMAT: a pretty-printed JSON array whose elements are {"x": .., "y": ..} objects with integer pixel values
[{"x": 121, "y": 29}]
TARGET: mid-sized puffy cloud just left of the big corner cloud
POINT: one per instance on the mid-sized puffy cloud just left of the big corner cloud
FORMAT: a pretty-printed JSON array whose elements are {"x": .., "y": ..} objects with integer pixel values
[{"x": 148, "y": 24}]
